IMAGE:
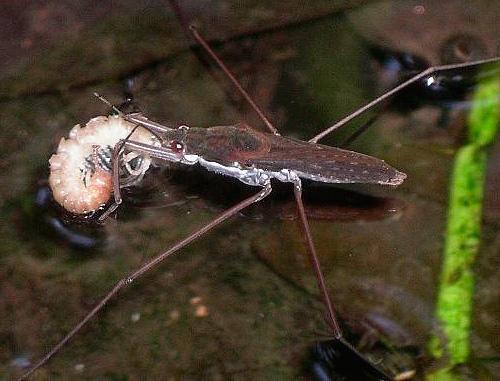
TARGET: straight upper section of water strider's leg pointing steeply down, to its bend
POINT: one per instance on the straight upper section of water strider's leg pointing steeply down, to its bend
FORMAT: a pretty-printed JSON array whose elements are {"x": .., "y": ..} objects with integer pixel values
[{"x": 313, "y": 257}]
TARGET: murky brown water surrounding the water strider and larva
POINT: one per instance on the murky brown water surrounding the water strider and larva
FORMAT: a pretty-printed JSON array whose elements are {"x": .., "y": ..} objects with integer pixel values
[{"x": 380, "y": 247}]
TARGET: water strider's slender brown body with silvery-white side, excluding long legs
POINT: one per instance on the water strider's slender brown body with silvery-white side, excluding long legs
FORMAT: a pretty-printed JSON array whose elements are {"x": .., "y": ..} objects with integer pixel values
[{"x": 255, "y": 157}]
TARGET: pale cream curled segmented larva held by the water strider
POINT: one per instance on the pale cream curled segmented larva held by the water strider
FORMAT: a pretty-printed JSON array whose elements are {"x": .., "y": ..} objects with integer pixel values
[{"x": 78, "y": 179}]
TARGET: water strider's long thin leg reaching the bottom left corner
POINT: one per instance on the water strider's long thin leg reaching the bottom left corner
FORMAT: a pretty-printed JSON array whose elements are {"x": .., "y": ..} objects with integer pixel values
[{"x": 150, "y": 264}]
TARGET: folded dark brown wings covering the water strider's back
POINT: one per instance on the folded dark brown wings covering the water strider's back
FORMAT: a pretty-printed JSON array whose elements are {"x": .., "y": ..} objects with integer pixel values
[{"x": 250, "y": 148}]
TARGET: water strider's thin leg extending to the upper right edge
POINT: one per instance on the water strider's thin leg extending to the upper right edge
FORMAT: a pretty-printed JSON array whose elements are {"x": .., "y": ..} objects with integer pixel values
[{"x": 376, "y": 101}]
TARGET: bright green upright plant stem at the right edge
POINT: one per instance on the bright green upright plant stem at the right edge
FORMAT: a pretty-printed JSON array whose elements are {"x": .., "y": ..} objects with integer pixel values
[{"x": 463, "y": 233}]
